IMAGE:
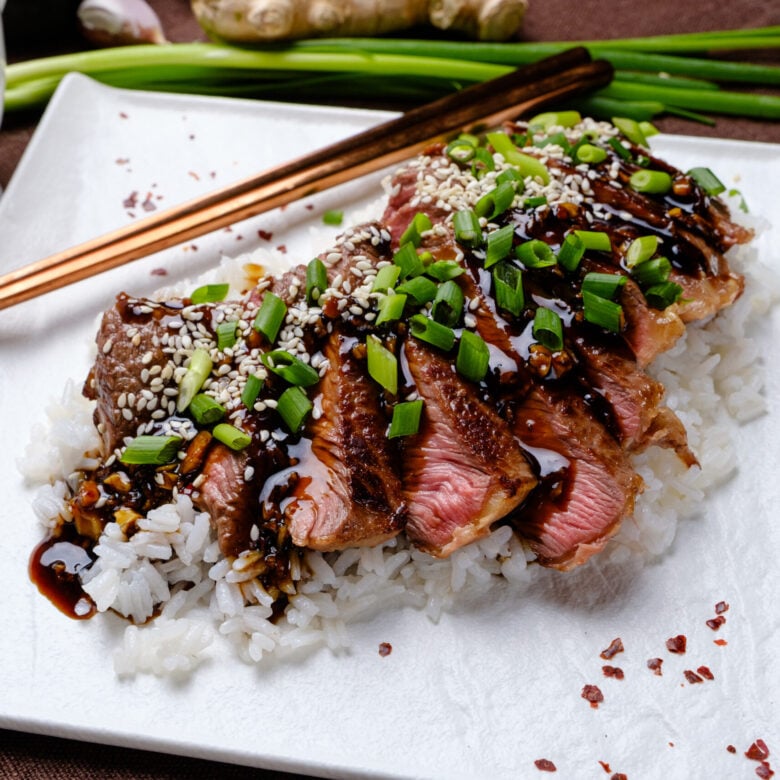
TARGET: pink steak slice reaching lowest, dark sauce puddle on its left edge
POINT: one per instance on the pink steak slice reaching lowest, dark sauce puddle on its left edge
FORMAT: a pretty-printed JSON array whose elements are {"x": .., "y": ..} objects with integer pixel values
[{"x": 578, "y": 506}]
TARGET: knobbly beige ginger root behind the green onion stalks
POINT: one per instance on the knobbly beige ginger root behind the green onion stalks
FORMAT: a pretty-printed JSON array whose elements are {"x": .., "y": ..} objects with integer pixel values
[{"x": 252, "y": 21}]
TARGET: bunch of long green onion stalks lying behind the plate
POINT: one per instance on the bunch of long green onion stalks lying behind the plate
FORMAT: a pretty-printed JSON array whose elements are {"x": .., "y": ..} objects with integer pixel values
[{"x": 678, "y": 74}]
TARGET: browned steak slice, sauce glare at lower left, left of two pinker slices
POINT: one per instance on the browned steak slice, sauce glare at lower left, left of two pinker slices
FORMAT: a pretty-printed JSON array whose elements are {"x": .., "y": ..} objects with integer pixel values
[{"x": 348, "y": 491}]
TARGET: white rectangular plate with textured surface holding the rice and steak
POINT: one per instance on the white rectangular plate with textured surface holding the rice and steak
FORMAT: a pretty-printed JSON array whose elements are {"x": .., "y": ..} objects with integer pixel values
[{"x": 491, "y": 688}]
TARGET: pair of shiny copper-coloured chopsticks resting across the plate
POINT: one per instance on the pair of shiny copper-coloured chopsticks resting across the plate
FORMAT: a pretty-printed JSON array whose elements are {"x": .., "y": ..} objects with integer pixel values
[{"x": 471, "y": 109}]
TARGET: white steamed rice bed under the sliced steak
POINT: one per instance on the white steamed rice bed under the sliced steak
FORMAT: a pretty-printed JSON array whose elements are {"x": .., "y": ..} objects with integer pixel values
[{"x": 172, "y": 564}]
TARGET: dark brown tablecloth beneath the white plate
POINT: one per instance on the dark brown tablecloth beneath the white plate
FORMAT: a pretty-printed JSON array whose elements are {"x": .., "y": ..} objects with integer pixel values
[{"x": 29, "y": 757}]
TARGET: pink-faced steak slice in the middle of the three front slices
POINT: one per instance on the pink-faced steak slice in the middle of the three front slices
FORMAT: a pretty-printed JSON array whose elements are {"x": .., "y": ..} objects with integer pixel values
[{"x": 464, "y": 470}]
